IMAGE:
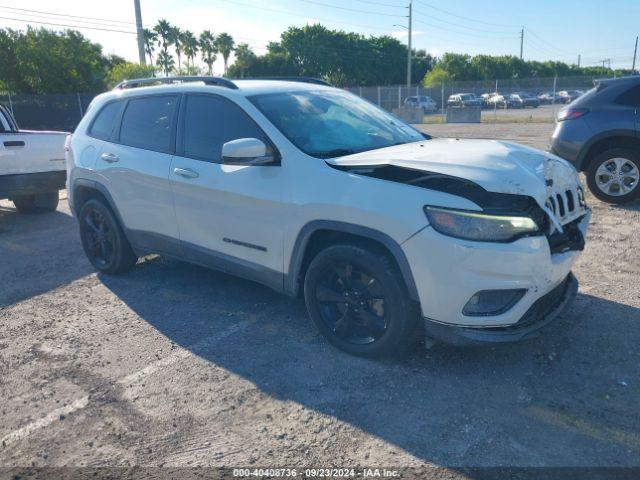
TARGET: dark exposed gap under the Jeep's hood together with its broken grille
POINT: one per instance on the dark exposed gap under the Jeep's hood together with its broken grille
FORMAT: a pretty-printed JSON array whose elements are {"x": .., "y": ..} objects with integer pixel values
[{"x": 559, "y": 218}]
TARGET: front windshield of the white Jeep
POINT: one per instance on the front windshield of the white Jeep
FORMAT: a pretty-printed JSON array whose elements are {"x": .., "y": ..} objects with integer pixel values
[{"x": 327, "y": 124}]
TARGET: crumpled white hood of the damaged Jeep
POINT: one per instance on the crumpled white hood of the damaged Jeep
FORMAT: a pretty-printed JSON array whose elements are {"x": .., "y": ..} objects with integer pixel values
[{"x": 497, "y": 166}]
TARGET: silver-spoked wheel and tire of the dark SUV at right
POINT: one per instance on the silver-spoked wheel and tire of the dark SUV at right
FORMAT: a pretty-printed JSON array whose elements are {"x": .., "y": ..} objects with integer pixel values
[{"x": 614, "y": 175}]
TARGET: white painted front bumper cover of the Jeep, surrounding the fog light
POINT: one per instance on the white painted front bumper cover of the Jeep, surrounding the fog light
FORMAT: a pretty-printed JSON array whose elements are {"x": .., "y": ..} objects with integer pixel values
[{"x": 449, "y": 271}]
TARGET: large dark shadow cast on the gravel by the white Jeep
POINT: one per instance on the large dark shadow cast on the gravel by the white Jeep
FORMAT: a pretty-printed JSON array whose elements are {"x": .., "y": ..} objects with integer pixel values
[{"x": 567, "y": 398}]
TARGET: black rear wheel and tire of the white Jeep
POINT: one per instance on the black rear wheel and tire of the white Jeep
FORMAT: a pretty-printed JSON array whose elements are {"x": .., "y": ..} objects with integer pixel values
[{"x": 103, "y": 240}]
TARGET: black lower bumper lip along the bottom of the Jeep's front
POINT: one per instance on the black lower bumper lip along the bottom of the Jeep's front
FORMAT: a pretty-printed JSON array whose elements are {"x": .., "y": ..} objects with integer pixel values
[{"x": 541, "y": 313}]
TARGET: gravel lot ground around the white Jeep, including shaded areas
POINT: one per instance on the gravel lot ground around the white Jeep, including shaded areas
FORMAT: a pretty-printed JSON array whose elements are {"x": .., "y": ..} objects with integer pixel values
[{"x": 175, "y": 365}]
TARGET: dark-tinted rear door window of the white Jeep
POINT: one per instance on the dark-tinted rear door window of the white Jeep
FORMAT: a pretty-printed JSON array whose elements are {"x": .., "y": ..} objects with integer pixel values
[{"x": 148, "y": 123}]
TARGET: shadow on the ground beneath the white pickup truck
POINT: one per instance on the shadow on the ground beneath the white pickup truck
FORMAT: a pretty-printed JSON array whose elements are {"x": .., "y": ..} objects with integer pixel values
[{"x": 37, "y": 246}]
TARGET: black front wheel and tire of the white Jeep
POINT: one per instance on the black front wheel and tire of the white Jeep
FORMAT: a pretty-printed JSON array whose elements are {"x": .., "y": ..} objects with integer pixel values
[{"x": 358, "y": 301}]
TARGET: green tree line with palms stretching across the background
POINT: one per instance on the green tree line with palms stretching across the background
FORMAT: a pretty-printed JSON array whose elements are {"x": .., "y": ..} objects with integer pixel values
[{"x": 46, "y": 61}]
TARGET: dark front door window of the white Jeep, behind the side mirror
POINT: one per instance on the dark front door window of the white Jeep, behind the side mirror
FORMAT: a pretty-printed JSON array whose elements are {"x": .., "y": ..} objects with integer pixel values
[{"x": 210, "y": 122}]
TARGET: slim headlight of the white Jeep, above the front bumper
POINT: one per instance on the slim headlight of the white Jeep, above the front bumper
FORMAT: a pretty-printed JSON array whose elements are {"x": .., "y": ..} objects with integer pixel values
[{"x": 479, "y": 226}]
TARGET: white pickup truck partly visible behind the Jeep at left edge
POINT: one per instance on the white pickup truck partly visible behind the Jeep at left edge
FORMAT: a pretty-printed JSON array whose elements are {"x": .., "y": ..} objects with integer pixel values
[{"x": 32, "y": 166}]
